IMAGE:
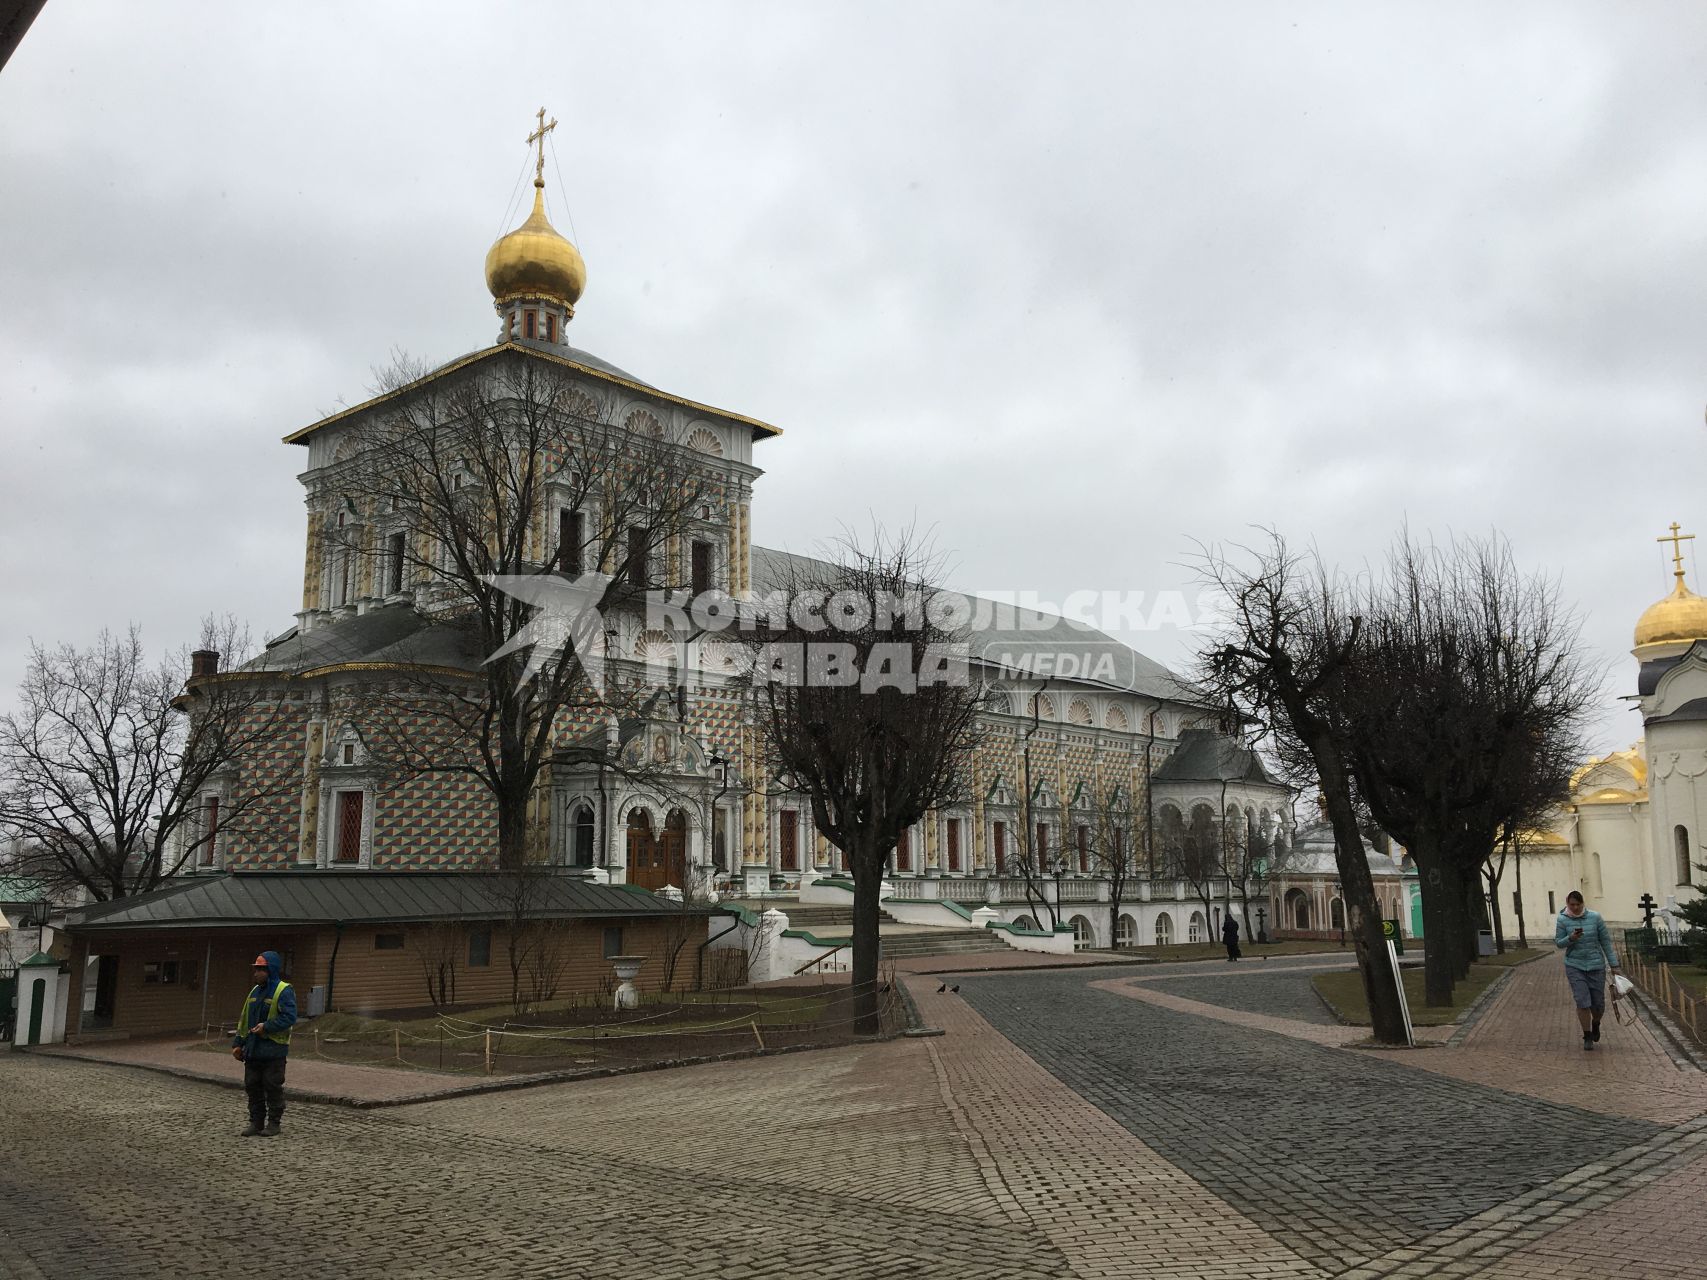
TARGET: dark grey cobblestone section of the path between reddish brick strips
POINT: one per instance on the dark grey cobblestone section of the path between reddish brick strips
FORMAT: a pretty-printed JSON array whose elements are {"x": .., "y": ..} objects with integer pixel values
[{"x": 1341, "y": 1153}]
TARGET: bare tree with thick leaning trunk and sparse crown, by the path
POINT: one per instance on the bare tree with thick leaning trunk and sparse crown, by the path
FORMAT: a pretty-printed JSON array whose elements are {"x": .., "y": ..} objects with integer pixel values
[{"x": 1279, "y": 661}]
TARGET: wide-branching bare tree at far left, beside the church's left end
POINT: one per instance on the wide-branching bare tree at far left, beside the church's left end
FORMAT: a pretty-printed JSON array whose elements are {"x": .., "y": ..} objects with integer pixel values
[{"x": 117, "y": 774}]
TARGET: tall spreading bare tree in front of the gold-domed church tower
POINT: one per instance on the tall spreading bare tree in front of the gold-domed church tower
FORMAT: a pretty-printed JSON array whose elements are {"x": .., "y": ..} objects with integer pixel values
[{"x": 482, "y": 496}]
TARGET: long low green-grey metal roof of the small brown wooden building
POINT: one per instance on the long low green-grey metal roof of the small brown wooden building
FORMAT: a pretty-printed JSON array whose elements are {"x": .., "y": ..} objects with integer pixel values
[{"x": 364, "y": 897}]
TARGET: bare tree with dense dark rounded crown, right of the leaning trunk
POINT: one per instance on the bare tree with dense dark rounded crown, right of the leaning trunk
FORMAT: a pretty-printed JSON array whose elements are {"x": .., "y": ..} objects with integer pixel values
[{"x": 1464, "y": 719}]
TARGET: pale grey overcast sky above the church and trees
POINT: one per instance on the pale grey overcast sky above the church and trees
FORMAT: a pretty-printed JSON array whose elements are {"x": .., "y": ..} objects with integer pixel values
[{"x": 1075, "y": 284}]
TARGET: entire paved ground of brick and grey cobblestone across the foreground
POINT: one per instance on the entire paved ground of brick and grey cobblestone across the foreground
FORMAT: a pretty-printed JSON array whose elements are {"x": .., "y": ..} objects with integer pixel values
[{"x": 1071, "y": 1124}]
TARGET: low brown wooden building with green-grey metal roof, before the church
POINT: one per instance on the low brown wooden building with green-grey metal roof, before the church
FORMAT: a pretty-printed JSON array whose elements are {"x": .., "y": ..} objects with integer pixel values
[{"x": 180, "y": 958}]
